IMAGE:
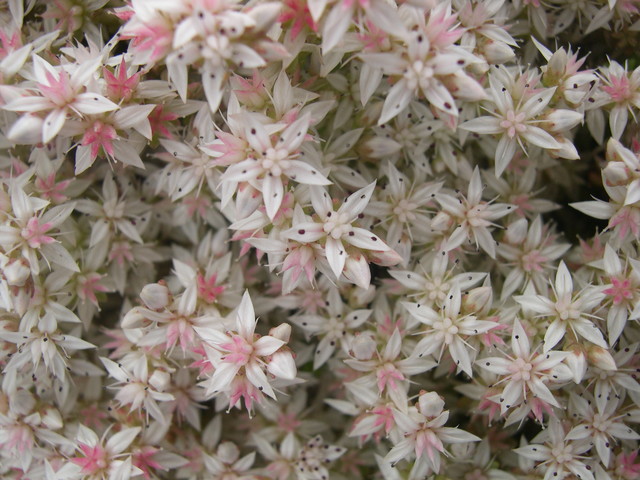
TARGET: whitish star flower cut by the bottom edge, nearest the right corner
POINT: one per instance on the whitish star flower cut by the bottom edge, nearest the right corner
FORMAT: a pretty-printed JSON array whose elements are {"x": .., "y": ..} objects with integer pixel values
[{"x": 556, "y": 455}]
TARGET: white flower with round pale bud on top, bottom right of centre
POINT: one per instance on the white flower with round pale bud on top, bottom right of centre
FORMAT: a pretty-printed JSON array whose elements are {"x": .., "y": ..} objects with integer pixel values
[{"x": 423, "y": 433}]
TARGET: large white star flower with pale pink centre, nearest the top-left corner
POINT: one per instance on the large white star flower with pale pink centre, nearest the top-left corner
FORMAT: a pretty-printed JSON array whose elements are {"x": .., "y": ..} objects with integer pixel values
[{"x": 61, "y": 93}]
